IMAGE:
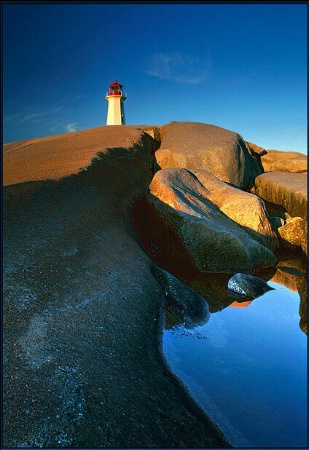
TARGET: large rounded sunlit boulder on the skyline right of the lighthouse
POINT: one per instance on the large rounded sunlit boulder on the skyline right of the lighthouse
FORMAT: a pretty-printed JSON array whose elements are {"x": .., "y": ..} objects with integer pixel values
[{"x": 222, "y": 152}]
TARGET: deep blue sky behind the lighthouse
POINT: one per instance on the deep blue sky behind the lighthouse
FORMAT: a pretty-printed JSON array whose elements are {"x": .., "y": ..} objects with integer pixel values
[{"x": 238, "y": 66}]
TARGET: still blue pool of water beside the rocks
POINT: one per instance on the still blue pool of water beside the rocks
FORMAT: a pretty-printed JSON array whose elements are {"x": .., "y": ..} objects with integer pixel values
[{"x": 247, "y": 367}]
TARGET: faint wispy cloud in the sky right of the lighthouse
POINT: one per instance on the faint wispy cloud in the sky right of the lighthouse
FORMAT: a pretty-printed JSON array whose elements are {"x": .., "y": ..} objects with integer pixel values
[{"x": 177, "y": 67}]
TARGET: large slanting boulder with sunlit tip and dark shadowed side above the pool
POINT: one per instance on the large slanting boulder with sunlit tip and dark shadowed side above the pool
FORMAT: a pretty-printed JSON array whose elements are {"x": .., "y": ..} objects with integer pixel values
[{"x": 184, "y": 227}]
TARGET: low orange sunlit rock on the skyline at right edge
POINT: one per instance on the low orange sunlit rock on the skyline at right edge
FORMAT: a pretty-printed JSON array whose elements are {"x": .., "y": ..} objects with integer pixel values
[{"x": 279, "y": 161}]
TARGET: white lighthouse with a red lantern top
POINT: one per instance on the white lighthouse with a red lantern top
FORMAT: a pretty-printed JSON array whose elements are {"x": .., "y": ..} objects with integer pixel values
[{"x": 115, "y": 98}]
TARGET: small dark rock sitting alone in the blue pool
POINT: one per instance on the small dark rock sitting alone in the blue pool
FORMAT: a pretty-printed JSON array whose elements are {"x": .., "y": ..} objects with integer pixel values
[{"x": 248, "y": 285}]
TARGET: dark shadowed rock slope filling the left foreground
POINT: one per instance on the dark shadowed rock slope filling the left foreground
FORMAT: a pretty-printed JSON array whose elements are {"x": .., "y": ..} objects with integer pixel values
[{"x": 82, "y": 321}]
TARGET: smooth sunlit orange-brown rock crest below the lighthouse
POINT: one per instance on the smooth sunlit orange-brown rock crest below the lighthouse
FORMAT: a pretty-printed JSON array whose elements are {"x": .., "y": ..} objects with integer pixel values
[{"x": 58, "y": 156}]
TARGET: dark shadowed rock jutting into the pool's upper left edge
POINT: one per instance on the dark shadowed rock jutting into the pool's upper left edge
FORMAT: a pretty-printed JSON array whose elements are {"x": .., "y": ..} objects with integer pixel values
[{"x": 183, "y": 304}]
